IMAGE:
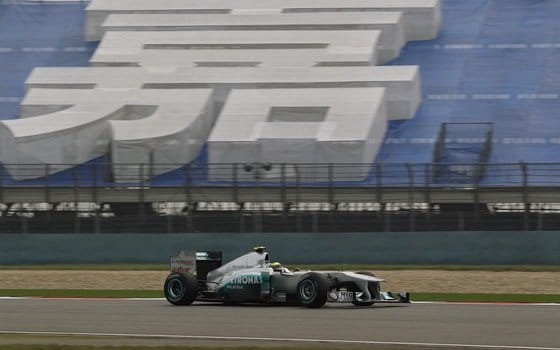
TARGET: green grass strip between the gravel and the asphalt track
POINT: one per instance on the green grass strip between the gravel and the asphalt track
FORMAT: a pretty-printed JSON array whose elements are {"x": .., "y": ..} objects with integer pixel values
[{"x": 461, "y": 297}]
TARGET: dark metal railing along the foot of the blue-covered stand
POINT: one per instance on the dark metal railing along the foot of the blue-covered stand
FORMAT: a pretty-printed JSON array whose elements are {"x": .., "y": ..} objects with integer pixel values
[{"x": 275, "y": 175}]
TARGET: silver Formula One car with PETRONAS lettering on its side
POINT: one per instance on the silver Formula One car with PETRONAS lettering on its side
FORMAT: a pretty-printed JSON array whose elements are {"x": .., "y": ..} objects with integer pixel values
[{"x": 252, "y": 278}]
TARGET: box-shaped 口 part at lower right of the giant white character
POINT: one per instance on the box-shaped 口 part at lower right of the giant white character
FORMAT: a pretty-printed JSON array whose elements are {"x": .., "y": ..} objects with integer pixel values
[{"x": 299, "y": 126}]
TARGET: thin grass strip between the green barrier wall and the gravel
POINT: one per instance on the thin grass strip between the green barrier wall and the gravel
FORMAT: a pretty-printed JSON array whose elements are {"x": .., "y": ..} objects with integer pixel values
[{"x": 351, "y": 267}]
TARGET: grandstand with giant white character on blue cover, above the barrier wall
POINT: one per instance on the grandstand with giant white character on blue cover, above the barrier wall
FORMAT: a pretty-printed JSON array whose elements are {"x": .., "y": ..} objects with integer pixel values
[{"x": 276, "y": 115}]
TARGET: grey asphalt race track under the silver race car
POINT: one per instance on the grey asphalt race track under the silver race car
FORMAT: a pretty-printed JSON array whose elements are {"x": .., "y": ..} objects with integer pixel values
[{"x": 491, "y": 325}]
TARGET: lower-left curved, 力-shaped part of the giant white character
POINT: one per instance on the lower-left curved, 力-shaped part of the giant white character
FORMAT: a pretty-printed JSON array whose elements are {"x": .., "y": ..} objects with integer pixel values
[{"x": 138, "y": 126}]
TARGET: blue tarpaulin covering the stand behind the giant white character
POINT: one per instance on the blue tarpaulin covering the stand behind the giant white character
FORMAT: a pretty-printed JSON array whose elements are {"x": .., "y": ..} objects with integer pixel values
[{"x": 495, "y": 61}]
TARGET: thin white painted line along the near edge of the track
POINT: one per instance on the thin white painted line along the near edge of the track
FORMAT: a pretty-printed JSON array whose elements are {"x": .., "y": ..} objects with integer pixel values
[{"x": 302, "y": 340}]
